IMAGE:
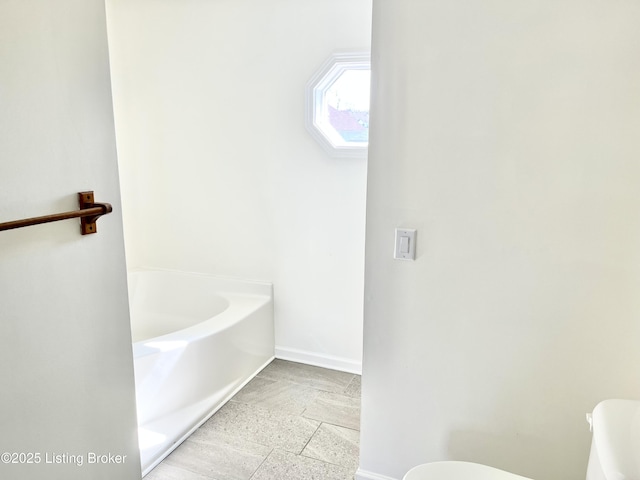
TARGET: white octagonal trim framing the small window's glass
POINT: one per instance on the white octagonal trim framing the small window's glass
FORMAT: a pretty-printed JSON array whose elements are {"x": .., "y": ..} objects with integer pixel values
[{"x": 328, "y": 73}]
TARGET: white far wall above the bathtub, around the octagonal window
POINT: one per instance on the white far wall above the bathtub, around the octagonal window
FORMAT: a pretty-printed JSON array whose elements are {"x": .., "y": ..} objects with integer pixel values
[{"x": 218, "y": 172}]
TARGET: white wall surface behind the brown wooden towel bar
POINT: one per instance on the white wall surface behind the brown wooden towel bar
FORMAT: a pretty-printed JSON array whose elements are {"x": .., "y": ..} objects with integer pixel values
[{"x": 65, "y": 345}]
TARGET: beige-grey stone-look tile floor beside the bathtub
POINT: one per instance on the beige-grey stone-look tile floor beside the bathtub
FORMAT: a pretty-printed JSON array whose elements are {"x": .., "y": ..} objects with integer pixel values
[{"x": 291, "y": 422}]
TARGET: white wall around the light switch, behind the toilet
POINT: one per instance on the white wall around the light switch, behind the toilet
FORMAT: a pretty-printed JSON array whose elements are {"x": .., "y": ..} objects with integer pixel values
[{"x": 507, "y": 134}]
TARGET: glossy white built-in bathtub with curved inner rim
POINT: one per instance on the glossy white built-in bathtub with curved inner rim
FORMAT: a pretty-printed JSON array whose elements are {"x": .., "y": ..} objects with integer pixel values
[{"x": 197, "y": 339}]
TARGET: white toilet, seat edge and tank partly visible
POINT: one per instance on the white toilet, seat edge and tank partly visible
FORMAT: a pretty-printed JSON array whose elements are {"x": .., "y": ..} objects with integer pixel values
[{"x": 615, "y": 450}]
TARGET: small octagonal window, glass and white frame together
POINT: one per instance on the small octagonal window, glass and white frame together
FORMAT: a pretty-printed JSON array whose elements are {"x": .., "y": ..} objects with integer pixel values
[{"x": 338, "y": 105}]
